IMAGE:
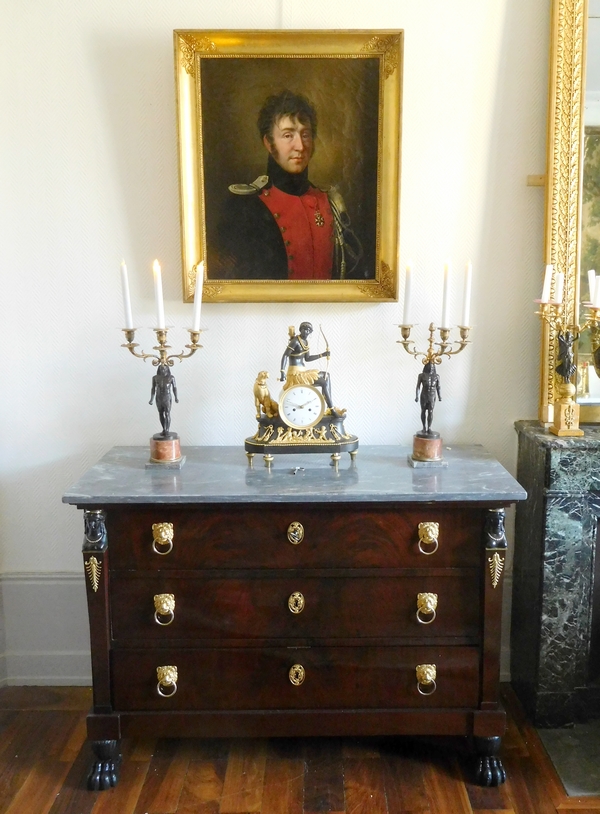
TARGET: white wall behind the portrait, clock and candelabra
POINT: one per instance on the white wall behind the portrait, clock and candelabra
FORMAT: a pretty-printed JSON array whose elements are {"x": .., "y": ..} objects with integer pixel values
[{"x": 89, "y": 175}]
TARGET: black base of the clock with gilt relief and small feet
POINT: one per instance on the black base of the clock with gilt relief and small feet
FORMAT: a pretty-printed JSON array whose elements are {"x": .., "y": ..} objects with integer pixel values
[{"x": 275, "y": 437}]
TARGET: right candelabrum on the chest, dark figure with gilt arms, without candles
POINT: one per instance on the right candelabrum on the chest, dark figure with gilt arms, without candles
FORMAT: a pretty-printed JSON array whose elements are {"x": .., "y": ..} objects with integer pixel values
[{"x": 427, "y": 444}]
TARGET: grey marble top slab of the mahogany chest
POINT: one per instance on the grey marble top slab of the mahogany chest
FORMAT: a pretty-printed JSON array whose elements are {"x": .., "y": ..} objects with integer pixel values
[{"x": 222, "y": 475}]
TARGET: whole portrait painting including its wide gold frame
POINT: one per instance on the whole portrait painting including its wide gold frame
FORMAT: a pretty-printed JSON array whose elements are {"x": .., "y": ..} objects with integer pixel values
[{"x": 228, "y": 84}]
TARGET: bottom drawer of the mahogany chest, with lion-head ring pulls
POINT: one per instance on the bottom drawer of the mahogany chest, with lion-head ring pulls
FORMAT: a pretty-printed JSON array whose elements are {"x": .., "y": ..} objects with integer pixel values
[{"x": 333, "y": 678}]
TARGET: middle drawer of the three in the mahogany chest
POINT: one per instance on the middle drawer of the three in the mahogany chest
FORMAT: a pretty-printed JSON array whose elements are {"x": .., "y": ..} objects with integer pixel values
[{"x": 297, "y": 606}]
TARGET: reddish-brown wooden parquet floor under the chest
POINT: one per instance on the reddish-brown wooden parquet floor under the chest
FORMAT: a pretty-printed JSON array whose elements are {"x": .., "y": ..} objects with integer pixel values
[{"x": 44, "y": 759}]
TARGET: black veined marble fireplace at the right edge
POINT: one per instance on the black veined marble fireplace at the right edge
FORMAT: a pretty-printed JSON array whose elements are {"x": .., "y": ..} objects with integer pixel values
[{"x": 555, "y": 638}]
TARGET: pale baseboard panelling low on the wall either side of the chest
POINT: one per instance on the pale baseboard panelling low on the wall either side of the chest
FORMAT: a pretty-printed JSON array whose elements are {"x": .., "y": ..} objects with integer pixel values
[{"x": 45, "y": 635}]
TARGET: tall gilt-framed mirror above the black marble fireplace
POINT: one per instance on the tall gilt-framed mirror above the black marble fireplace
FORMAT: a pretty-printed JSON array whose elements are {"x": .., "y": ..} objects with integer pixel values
[{"x": 572, "y": 240}]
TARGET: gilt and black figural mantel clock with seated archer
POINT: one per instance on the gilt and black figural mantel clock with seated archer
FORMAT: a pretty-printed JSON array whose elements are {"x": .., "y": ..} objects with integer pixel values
[{"x": 304, "y": 418}]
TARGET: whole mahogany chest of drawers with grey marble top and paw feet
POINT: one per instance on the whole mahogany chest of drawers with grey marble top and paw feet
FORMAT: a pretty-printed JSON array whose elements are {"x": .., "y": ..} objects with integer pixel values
[{"x": 302, "y": 600}]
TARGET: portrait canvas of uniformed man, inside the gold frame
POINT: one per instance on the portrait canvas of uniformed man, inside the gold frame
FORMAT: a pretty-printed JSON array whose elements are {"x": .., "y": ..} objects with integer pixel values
[{"x": 296, "y": 197}]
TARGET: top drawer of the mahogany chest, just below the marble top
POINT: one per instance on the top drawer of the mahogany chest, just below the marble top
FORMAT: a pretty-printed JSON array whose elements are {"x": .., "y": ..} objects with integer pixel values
[{"x": 293, "y": 536}]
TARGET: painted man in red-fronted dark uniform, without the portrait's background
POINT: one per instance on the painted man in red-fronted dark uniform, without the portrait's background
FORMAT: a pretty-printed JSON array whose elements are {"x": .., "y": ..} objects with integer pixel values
[{"x": 281, "y": 225}]
